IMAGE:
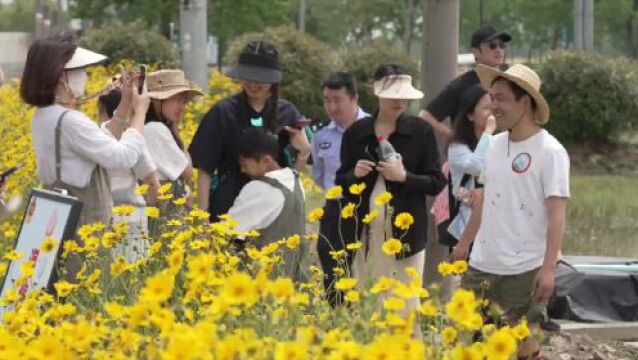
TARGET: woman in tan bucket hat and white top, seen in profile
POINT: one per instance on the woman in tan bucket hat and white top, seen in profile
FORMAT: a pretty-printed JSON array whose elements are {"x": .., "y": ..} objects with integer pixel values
[{"x": 169, "y": 92}]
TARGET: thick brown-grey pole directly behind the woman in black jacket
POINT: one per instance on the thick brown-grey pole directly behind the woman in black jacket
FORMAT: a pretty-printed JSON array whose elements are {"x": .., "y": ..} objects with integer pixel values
[{"x": 438, "y": 67}]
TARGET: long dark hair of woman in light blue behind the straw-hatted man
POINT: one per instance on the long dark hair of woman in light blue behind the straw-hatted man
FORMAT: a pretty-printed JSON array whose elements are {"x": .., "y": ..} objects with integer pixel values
[{"x": 464, "y": 128}]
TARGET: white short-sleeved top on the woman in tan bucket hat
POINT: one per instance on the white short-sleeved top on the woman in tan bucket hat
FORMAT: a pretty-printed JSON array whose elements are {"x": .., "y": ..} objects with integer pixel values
[{"x": 170, "y": 160}]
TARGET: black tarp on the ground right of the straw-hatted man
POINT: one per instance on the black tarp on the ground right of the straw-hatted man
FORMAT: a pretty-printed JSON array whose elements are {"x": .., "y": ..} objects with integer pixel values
[{"x": 594, "y": 295}]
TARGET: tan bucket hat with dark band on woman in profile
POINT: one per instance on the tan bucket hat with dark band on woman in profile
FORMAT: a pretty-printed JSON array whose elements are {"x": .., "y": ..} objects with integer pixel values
[{"x": 163, "y": 84}]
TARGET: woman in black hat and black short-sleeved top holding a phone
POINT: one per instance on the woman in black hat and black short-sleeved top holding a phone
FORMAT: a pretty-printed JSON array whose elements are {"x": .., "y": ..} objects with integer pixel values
[{"x": 214, "y": 148}]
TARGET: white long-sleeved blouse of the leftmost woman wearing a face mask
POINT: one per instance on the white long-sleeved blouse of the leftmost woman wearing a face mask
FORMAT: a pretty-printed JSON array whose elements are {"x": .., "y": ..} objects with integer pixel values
[{"x": 82, "y": 145}]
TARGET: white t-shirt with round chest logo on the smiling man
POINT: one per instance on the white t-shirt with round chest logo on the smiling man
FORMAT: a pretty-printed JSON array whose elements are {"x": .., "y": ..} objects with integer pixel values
[{"x": 518, "y": 178}]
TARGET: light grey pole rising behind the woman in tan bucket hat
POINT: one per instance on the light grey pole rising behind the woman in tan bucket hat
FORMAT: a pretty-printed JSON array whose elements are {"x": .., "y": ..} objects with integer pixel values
[{"x": 194, "y": 40}]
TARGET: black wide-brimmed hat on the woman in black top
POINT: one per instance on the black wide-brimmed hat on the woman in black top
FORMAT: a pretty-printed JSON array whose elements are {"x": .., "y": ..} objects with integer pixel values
[{"x": 258, "y": 62}]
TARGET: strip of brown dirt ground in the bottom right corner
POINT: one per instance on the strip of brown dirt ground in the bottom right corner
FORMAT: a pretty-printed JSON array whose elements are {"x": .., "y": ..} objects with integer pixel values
[{"x": 562, "y": 346}]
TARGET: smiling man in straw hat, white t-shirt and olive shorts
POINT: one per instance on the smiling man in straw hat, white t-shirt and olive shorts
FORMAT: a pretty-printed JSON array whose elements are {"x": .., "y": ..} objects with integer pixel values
[{"x": 520, "y": 229}]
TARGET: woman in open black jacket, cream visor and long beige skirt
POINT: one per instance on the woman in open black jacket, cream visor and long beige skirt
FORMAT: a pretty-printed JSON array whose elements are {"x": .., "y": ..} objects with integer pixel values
[{"x": 415, "y": 174}]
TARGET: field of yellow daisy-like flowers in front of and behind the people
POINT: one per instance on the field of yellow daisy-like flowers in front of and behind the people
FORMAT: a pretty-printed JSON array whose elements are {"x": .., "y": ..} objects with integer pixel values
[{"x": 196, "y": 297}]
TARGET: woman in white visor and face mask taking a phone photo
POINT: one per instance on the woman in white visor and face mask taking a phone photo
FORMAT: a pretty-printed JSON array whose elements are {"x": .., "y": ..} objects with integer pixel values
[{"x": 72, "y": 152}]
